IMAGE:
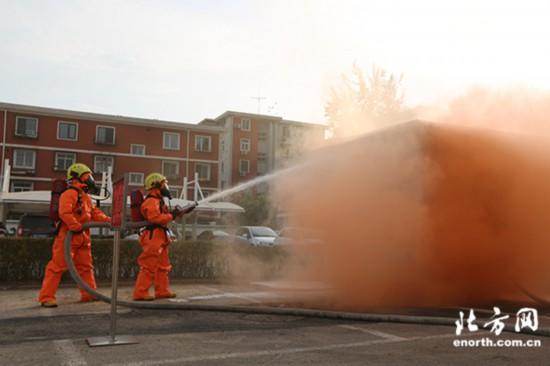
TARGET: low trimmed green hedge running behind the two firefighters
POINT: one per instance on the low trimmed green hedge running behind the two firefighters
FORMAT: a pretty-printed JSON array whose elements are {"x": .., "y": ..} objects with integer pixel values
[{"x": 25, "y": 259}]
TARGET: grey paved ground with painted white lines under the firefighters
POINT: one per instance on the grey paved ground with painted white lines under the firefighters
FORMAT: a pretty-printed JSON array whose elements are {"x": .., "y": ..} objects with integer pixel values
[{"x": 35, "y": 336}]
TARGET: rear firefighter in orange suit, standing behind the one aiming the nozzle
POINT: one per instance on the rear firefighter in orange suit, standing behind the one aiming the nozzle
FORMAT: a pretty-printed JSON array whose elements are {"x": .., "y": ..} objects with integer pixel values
[{"x": 75, "y": 208}]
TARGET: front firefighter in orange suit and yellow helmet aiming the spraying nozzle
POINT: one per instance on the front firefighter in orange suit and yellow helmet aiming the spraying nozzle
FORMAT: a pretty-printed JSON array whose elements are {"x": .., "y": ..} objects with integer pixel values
[{"x": 154, "y": 264}]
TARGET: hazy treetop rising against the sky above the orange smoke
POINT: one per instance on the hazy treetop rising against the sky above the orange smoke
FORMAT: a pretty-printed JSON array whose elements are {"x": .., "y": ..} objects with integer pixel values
[{"x": 360, "y": 103}]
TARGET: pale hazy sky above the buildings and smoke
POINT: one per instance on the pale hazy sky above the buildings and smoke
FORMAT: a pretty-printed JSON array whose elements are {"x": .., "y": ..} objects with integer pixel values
[{"x": 187, "y": 60}]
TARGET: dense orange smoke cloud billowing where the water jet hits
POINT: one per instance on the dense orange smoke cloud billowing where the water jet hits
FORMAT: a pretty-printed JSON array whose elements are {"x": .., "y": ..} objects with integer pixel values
[{"x": 423, "y": 214}]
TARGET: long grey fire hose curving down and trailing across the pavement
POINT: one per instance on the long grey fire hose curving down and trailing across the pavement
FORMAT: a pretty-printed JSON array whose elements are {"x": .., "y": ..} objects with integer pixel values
[{"x": 265, "y": 310}]
